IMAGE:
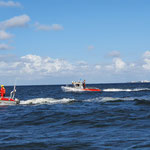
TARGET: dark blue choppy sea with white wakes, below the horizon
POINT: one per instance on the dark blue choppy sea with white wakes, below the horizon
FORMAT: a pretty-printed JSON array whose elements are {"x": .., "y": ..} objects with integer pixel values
[{"x": 49, "y": 118}]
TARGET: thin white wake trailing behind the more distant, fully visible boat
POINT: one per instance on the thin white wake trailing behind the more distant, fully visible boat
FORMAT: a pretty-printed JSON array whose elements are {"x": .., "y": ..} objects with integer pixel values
[{"x": 125, "y": 90}]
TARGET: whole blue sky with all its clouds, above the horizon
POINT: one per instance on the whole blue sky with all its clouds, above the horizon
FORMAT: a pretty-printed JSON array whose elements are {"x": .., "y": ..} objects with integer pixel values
[{"x": 60, "y": 41}]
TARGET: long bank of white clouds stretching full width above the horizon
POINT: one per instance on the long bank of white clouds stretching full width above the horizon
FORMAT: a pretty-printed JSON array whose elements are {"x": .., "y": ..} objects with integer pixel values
[{"x": 34, "y": 67}]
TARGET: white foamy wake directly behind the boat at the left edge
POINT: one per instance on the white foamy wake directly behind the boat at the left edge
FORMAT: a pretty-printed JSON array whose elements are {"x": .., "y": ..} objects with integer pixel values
[{"x": 46, "y": 101}]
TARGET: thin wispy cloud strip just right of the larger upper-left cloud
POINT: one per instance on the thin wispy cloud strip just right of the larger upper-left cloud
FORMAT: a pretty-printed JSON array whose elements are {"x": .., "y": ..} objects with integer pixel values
[{"x": 55, "y": 27}]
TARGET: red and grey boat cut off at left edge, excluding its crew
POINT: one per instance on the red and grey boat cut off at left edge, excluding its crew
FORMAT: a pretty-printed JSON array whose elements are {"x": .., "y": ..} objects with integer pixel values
[{"x": 10, "y": 100}]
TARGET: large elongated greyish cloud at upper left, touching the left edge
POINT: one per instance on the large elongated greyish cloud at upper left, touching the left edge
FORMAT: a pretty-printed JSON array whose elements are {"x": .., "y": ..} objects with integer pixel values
[{"x": 17, "y": 21}]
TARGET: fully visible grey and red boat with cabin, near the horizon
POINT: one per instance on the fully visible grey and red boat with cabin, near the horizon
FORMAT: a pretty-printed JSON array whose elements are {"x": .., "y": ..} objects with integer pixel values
[{"x": 78, "y": 87}]
